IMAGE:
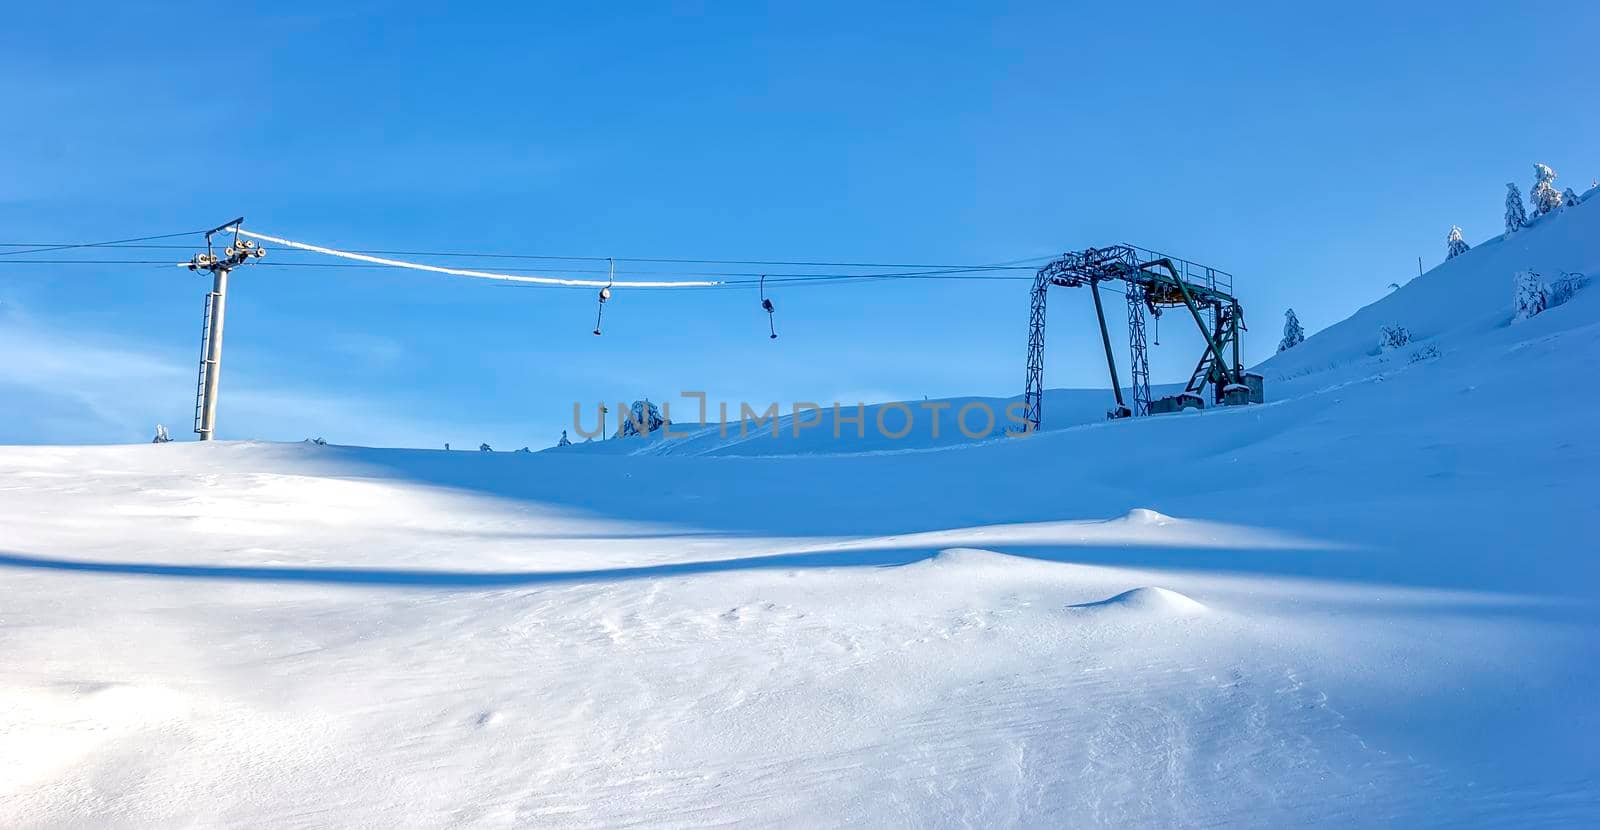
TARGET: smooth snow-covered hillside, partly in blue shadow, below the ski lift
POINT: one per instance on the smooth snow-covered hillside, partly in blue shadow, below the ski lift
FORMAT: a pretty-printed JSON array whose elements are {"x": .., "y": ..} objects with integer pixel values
[{"x": 1367, "y": 604}]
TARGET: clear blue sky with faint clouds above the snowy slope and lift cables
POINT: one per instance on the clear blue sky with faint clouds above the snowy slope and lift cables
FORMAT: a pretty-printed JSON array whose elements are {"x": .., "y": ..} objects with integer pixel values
[{"x": 1316, "y": 153}]
